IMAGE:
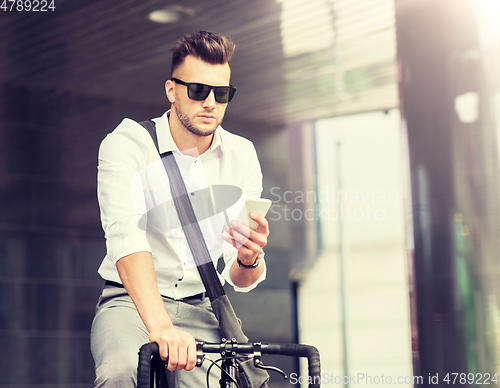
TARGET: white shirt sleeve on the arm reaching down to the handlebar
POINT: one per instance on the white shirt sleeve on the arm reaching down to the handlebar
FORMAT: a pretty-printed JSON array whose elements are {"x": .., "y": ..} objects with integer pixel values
[{"x": 122, "y": 197}]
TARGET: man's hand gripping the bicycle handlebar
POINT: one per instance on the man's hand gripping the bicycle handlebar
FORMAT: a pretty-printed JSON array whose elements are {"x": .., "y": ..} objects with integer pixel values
[{"x": 176, "y": 346}]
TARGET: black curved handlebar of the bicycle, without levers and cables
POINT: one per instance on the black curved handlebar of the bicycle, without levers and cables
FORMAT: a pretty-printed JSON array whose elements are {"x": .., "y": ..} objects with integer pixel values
[{"x": 295, "y": 350}]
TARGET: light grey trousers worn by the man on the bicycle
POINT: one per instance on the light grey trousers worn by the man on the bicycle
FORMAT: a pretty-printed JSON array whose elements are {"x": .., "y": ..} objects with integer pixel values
[{"x": 118, "y": 333}]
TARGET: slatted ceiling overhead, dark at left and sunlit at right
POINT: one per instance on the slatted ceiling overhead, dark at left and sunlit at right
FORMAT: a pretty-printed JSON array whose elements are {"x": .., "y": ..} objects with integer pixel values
[{"x": 111, "y": 49}]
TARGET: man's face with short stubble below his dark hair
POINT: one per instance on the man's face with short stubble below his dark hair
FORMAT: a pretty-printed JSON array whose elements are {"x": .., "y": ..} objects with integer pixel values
[{"x": 199, "y": 117}]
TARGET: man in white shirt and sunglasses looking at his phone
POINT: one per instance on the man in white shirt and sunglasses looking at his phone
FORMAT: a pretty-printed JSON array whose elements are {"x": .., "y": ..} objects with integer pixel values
[{"x": 153, "y": 291}]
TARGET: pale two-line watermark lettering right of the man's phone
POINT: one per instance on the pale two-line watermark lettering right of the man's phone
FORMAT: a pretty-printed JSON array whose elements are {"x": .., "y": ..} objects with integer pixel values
[{"x": 330, "y": 205}]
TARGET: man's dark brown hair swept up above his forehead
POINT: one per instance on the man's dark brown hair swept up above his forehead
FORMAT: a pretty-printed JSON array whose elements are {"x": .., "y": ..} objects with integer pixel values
[{"x": 207, "y": 46}]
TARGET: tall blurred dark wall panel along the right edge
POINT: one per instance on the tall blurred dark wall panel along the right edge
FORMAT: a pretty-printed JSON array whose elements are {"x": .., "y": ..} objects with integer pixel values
[{"x": 448, "y": 84}]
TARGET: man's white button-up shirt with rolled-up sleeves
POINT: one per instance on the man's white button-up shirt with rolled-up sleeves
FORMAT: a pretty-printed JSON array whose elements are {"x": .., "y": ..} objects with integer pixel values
[{"x": 137, "y": 210}]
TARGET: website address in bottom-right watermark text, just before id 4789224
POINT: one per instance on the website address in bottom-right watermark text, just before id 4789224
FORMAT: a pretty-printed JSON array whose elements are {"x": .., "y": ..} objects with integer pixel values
[{"x": 355, "y": 379}]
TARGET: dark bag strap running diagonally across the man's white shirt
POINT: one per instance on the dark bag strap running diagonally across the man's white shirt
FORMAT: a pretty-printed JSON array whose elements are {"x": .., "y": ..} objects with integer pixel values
[{"x": 189, "y": 222}]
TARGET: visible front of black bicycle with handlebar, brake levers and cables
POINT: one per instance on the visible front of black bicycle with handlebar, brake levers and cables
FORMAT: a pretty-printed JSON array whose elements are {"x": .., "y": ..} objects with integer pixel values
[{"x": 148, "y": 375}]
